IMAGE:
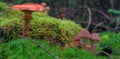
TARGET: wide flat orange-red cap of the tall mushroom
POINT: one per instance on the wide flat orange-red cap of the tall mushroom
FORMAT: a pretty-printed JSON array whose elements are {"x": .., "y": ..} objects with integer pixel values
[{"x": 28, "y": 6}]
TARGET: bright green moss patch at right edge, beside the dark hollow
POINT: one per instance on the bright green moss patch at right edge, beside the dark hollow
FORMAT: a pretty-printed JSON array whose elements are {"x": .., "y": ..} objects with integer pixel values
[{"x": 111, "y": 39}]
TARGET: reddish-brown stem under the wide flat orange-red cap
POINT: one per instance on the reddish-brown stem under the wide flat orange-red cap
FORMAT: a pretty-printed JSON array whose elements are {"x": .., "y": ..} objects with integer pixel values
[{"x": 27, "y": 17}]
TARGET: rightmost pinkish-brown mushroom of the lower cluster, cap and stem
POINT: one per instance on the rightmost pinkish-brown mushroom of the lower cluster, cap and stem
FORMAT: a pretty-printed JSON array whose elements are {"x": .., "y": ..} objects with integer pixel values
[{"x": 95, "y": 40}]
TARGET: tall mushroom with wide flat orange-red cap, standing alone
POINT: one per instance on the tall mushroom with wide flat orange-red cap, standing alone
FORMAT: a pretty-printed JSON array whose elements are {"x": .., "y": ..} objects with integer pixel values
[{"x": 27, "y": 8}]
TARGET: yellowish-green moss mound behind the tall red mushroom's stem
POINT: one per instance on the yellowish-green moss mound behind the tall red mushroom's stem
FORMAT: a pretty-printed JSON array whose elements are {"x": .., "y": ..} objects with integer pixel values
[{"x": 42, "y": 27}]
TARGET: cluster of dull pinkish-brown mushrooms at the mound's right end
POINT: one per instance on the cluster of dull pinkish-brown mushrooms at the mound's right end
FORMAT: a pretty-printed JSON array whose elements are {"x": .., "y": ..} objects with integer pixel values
[{"x": 81, "y": 41}]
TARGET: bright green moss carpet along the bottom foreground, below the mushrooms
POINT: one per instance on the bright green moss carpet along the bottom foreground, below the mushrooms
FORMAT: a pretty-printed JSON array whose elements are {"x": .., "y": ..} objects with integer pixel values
[{"x": 25, "y": 49}]
